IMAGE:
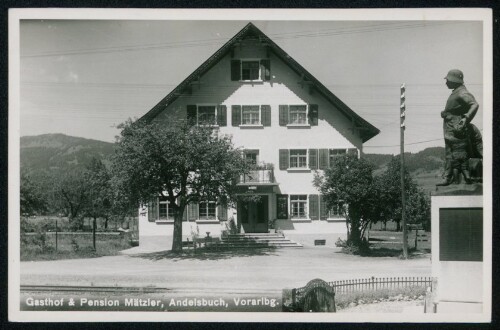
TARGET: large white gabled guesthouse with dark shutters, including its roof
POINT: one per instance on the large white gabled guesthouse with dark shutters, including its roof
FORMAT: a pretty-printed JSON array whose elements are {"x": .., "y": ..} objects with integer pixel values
[{"x": 283, "y": 118}]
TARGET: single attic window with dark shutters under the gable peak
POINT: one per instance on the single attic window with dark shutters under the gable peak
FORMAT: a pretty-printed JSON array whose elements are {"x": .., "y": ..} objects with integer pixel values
[{"x": 251, "y": 70}]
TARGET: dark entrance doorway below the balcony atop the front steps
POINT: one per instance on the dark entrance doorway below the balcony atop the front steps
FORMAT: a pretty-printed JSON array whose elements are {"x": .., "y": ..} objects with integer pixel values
[{"x": 254, "y": 215}]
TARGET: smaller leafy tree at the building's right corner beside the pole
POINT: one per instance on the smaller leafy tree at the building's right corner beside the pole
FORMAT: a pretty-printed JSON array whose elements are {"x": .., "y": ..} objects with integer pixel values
[{"x": 349, "y": 181}]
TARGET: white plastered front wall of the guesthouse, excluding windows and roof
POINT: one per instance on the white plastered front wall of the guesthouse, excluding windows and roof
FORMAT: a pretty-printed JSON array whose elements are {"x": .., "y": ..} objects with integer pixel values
[{"x": 333, "y": 129}]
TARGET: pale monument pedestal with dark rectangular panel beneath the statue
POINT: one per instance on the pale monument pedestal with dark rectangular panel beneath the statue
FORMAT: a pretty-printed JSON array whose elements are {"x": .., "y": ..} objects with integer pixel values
[{"x": 457, "y": 248}]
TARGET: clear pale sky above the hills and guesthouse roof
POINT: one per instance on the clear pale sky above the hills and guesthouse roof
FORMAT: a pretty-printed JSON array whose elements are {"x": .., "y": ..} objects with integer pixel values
[{"x": 85, "y": 77}]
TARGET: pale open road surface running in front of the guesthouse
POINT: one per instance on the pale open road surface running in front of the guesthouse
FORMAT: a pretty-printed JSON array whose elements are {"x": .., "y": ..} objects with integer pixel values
[{"x": 243, "y": 272}]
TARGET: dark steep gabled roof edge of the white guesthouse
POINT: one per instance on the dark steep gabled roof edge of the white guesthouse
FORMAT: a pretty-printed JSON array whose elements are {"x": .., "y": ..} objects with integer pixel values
[{"x": 367, "y": 130}]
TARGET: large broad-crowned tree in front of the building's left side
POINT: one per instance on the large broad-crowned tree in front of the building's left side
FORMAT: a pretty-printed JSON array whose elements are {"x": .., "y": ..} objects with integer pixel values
[{"x": 179, "y": 161}]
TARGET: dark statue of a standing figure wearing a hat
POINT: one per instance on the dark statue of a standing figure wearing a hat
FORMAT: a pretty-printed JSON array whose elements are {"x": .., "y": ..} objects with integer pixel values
[{"x": 463, "y": 140}]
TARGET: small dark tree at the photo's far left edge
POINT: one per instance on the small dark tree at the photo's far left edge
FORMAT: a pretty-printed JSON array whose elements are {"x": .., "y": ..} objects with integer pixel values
[{"x": 32, "y": 199}]
